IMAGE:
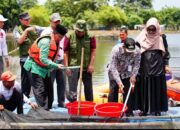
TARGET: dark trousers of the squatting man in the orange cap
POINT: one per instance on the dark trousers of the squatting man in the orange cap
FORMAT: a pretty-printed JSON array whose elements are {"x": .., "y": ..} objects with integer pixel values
[{"x": 16, "y": 101}]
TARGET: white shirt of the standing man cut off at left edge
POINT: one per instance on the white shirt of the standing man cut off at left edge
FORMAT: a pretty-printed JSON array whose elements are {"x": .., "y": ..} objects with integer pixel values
[{"x": 3, "y": 45}]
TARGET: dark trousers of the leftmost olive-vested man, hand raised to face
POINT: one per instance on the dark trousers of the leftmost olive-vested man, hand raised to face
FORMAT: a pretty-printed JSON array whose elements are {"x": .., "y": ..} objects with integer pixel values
[{"x": 25, "y": 80}]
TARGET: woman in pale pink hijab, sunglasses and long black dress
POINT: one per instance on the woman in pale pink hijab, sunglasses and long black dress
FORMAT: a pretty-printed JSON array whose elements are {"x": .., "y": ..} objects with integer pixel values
[{"x": 150, "y": 90}]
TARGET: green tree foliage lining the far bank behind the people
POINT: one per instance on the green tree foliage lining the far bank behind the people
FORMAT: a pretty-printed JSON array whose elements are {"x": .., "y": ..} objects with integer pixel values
[{"x": 97, "y": 13}]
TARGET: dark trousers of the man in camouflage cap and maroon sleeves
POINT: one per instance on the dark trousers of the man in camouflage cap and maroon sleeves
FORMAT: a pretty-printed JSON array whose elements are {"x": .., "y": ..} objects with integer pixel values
[{"x": 87, "y": 81}]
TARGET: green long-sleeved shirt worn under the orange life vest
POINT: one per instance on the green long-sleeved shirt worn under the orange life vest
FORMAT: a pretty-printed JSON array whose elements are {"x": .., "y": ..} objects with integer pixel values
[{"x": 30, "y": 65}]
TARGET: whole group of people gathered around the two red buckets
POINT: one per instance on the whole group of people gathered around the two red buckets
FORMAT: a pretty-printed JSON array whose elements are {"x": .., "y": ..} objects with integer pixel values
[{"x": 44, "y": 51}]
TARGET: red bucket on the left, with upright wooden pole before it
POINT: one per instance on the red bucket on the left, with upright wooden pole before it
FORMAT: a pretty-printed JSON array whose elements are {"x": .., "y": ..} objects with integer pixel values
[{"x": 86, "y": 108}]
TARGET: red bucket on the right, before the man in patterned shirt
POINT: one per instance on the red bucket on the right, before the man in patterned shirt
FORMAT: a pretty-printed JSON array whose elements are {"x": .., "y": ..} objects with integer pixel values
[{"x": 111, "y": 109}]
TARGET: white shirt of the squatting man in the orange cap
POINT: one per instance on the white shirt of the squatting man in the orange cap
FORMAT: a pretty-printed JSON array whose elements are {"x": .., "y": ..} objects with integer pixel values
[{"x": 7, "y": 93}]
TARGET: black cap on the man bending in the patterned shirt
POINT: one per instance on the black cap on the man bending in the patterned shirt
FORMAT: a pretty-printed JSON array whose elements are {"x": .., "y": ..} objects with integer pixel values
[{"x": 130, "y": 45}]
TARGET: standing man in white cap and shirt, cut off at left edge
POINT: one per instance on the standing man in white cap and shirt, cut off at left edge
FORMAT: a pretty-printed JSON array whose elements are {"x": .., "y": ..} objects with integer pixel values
[{"x": 3, "y": 45}]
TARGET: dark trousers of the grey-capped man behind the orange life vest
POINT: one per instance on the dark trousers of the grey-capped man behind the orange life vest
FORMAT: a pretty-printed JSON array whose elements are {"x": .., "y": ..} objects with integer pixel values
[{"x": 58, "y": 74}]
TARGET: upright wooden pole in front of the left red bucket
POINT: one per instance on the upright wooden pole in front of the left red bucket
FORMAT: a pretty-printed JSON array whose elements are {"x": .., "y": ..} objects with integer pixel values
[{"x": 80, "y": 78}]
